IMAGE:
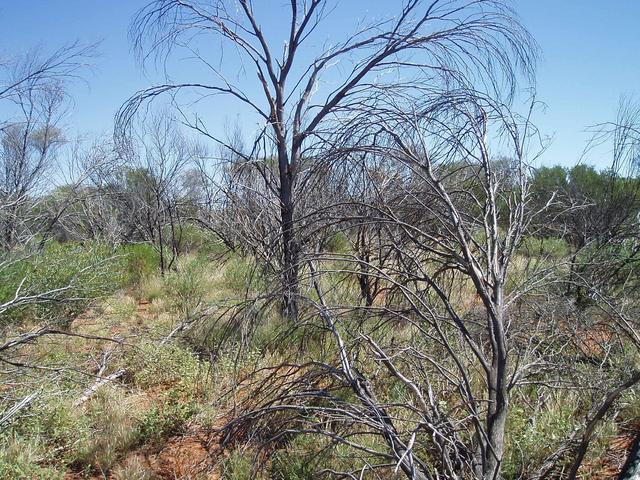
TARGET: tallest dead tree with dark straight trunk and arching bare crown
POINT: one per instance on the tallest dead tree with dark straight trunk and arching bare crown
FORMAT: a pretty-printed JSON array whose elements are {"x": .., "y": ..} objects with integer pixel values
[{"x": 426, "y": 41}]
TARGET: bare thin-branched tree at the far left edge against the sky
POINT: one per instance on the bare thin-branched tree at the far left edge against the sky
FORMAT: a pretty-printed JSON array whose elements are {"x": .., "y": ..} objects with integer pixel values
[{"x": 33, "y": 97}]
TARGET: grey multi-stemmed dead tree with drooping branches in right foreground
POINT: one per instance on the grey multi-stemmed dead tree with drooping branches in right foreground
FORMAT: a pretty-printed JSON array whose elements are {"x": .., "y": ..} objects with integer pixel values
[{"x": 444, "y": 336}]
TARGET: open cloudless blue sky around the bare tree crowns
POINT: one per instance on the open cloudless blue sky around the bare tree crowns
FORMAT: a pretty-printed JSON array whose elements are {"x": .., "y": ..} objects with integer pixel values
[{"x": 591, "y": 55}]
